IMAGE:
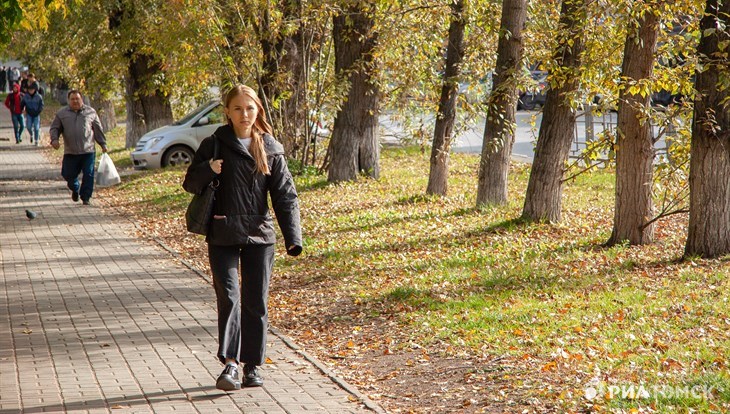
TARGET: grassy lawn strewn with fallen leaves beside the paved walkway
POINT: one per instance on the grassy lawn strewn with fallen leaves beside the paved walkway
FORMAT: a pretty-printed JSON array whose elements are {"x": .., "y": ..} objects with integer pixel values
[{"x": 428, "y": 304}]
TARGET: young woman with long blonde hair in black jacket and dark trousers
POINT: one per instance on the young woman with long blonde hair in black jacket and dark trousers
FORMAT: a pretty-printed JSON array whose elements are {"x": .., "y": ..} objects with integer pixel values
[{"x": 250, "y": 166}]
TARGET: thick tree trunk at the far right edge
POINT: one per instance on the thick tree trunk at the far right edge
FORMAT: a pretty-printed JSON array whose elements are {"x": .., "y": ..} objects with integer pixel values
[{"x": 709, "y": 174}]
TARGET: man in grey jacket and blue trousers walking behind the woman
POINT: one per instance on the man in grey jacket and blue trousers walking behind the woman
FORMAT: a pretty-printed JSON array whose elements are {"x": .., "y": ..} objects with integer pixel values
[{"x": 80, "y": 126}]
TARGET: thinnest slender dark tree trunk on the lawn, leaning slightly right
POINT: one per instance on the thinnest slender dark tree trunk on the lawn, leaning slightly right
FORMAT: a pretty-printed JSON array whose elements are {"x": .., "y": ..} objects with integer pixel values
[{"x": 438, "y": 178}]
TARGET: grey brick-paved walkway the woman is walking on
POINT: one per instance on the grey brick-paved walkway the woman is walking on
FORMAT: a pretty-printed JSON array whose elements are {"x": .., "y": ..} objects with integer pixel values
[{"x": 94, "y": 320}]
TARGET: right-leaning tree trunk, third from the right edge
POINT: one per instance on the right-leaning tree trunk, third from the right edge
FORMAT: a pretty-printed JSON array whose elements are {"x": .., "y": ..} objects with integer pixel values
[{"x": 545, "y": 187}]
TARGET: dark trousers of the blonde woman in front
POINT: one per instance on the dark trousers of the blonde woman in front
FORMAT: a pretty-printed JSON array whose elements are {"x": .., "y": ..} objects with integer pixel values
[{"x": 242, "y": 311}]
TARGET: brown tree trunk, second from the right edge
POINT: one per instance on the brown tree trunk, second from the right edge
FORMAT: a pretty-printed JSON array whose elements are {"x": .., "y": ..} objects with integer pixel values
[{"x": 634, "y": 142}]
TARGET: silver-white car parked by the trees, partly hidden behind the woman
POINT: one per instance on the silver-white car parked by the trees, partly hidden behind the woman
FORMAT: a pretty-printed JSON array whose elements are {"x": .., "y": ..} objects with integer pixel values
[{"x": 176, "y": 144}]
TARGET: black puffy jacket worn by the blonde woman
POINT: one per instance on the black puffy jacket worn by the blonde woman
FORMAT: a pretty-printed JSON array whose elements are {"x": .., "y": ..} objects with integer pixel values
[{"x": 242, "y": 194}]
